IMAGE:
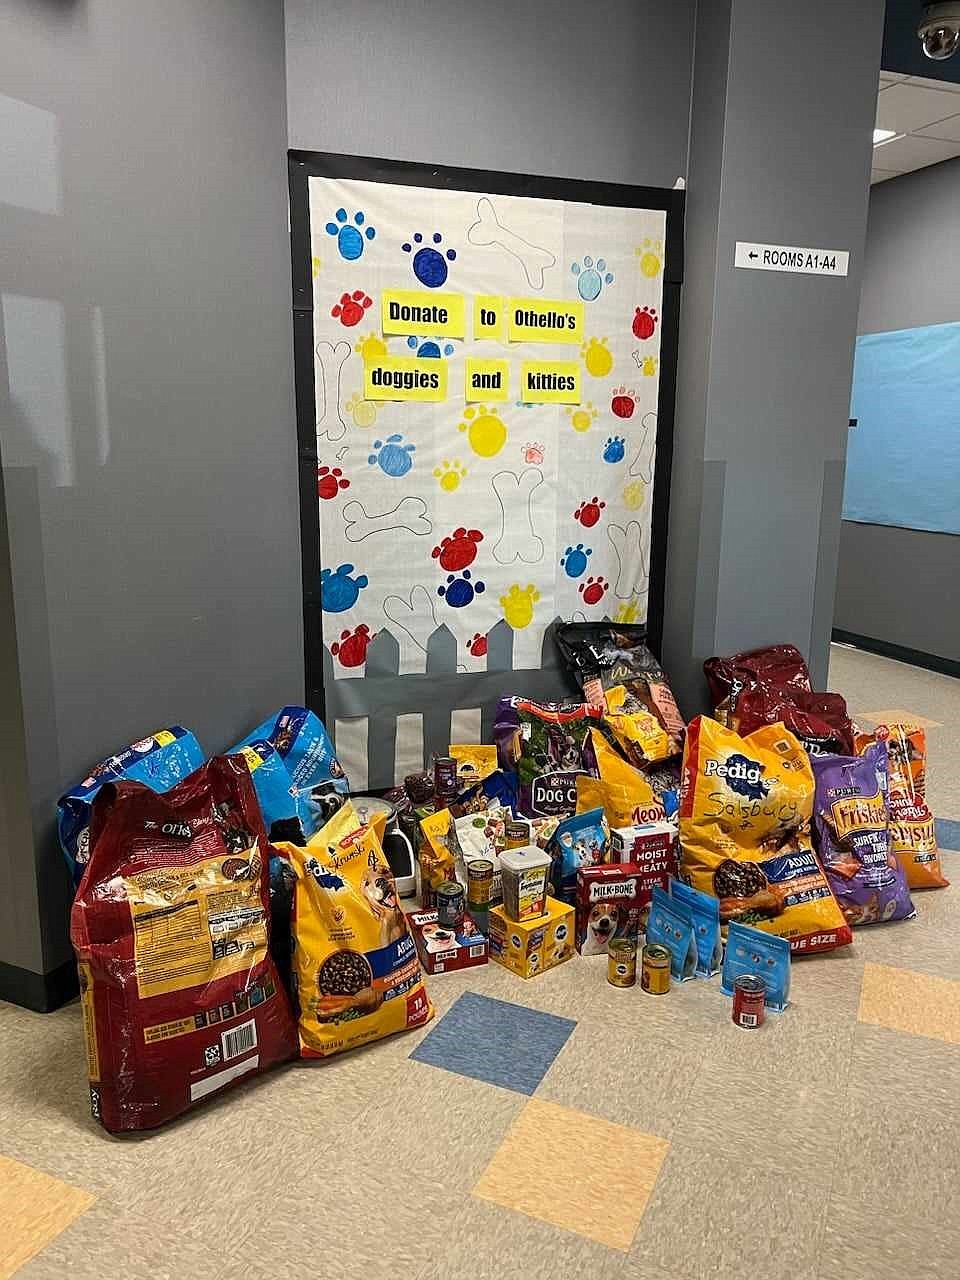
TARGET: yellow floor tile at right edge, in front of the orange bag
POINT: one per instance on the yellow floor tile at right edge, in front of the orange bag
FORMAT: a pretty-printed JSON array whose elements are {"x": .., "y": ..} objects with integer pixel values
[{"x": 915, "y": 1003}]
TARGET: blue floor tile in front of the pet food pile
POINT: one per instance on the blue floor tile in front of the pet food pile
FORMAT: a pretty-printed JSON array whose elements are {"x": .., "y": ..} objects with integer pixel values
[{"x": 495, "y": 1041}]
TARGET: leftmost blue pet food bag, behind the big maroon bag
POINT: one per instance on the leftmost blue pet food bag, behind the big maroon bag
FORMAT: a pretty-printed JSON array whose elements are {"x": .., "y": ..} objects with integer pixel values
[{"x": 159, "y": 762}]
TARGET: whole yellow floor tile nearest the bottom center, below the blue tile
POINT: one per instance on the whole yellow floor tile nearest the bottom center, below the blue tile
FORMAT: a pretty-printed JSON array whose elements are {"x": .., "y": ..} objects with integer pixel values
[{"x": 578, "y": 1172}]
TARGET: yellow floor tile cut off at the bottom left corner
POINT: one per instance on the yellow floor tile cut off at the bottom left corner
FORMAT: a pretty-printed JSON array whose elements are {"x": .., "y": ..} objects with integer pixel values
[{"x": 36, "y": 1209}]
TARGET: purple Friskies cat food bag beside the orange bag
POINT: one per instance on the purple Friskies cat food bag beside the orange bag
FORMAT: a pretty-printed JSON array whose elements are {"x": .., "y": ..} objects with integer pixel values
[{"x": 853, "y": 830}]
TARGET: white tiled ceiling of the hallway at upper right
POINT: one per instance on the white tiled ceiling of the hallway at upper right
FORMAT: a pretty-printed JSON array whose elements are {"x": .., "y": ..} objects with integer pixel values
[{"x": 926, "y": 116}]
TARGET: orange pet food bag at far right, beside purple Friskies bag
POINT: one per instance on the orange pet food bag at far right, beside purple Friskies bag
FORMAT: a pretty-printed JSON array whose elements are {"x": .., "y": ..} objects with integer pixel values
[{"x": 913, "y": 835}]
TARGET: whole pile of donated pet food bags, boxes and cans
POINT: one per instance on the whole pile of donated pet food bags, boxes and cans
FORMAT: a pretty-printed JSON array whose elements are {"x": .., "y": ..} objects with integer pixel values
[{"x": 235, "y": 915}]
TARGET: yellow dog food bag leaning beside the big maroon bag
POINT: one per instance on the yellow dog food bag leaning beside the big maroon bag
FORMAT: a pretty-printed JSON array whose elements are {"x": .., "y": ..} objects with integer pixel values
[{"x": 355, "y": 963}]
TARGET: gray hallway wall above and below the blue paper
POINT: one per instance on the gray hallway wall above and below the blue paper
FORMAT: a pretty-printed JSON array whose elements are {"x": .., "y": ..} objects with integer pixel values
[{"x": 898, "y": 586}]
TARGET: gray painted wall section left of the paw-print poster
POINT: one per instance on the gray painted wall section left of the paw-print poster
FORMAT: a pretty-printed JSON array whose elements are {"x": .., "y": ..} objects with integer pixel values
[{"x": 149, "y": 444}]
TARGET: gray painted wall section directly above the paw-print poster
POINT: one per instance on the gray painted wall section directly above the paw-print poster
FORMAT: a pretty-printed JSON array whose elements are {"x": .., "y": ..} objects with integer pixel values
[{"x": 527, "y": 86}]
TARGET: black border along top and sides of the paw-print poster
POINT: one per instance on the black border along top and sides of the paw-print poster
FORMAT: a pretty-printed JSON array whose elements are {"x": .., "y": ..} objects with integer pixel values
[{"x": 305, "y": 166}]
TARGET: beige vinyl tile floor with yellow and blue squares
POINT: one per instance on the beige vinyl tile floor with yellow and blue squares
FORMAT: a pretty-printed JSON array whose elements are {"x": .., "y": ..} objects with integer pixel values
[{"x": 618, "y": 1135}]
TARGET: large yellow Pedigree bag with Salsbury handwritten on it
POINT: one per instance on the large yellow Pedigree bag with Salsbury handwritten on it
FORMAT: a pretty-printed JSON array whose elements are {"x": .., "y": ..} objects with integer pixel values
[{"x": 746, "y": 812}]
